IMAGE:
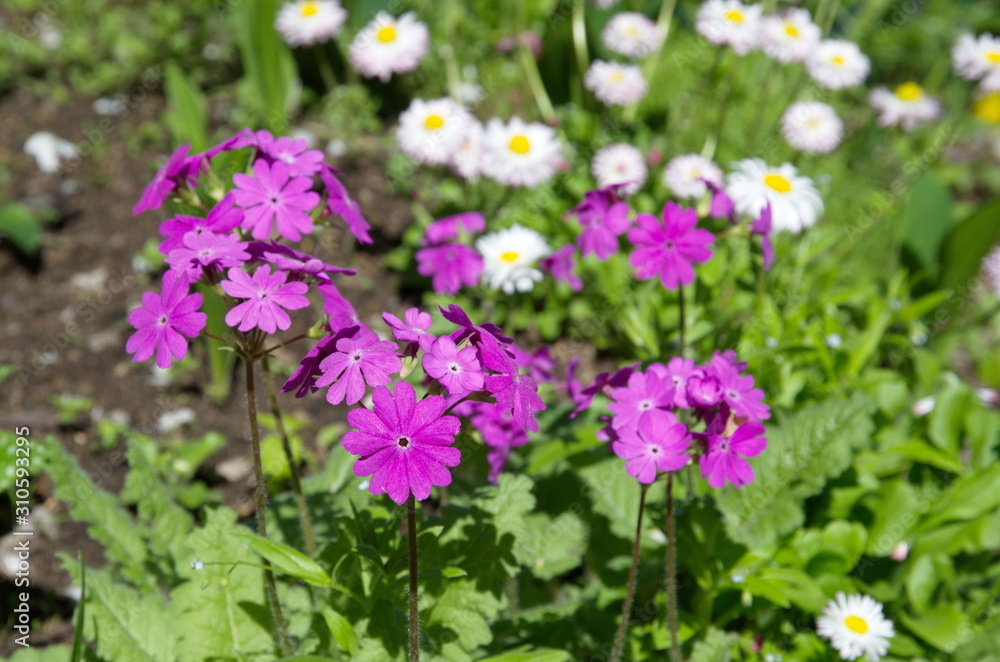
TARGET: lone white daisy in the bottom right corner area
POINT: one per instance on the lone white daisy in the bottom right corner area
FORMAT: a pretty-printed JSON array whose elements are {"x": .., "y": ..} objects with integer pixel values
[{"x": 855, "y": 626}]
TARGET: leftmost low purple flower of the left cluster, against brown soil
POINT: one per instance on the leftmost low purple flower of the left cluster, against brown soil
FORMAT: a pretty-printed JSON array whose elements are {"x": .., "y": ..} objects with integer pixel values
[{"x": 162, "y": 322}]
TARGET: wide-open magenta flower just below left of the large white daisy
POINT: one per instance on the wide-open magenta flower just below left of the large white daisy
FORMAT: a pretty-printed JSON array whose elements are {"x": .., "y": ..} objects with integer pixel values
[{"x": 668, "y": 249}]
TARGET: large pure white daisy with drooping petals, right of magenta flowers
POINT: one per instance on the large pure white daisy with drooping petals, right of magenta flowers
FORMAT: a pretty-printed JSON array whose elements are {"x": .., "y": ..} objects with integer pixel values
[{"x": 795, "y": 202}]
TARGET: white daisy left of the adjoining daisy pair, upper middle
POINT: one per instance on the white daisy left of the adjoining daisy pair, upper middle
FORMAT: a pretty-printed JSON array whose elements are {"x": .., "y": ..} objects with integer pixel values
[{"x": 432, "y": 132}]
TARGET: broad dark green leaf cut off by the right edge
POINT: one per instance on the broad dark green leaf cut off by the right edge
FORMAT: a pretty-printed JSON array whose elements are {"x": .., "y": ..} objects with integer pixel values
[{"x": 968, "y": 243}]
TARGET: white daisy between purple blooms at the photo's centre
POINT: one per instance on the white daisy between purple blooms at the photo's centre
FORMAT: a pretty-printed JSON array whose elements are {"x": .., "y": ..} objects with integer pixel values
[{"x": 509, "y": 257}]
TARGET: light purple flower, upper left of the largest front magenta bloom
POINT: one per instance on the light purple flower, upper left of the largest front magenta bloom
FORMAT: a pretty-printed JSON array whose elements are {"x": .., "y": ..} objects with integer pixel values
[{"x": 357, "y": 362}]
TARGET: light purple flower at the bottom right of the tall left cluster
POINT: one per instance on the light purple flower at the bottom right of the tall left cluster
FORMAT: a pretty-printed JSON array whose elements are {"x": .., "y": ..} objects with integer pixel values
[{"x": 268, "y": 297}]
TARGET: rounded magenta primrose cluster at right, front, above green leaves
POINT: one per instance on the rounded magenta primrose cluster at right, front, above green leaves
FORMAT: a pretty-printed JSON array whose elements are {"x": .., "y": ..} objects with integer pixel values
[{"x": 644, "y": 428}]
